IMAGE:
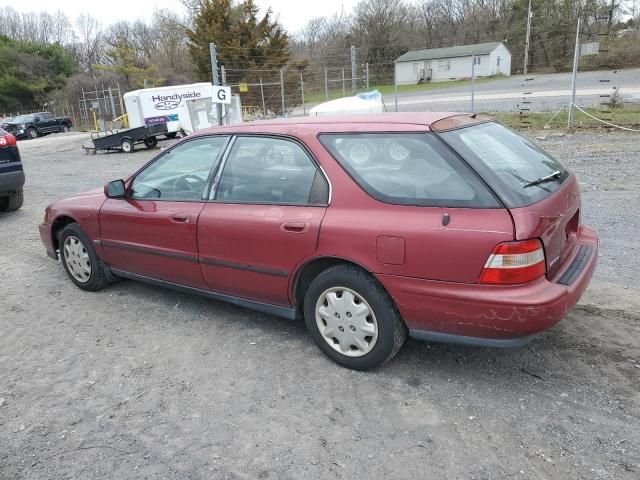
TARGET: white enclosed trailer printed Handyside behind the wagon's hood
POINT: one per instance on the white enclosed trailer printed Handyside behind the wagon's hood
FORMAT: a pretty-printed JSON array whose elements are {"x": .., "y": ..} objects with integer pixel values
[{"x": 161, "y": 105}]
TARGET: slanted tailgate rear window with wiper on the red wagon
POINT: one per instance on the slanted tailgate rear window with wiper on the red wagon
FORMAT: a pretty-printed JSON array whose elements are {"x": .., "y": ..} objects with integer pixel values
[{"x": 508, "y": 162}]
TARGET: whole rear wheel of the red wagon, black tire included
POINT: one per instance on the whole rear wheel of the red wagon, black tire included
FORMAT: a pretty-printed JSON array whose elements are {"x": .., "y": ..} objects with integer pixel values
[{"x": 379, "y": 329}]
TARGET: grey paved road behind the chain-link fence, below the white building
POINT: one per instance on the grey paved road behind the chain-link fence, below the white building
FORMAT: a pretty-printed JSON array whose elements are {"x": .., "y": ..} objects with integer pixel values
[{"x": 544, "y": 92}]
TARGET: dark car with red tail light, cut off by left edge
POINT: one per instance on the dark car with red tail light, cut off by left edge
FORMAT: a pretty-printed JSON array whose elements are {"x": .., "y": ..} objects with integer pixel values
[{"x": 11, "y": 173}]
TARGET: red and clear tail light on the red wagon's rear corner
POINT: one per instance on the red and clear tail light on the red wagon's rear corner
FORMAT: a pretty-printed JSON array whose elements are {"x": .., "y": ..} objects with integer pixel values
[{"x": 514, "y": 262}]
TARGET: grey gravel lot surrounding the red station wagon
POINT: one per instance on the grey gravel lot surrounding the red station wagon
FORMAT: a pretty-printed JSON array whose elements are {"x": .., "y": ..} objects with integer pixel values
[{"x": 140, "y": 382}]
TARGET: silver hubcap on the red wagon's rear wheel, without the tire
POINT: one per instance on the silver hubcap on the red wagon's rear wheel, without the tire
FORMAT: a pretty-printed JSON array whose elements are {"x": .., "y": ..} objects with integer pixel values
[{"x": 346, "y": 322}]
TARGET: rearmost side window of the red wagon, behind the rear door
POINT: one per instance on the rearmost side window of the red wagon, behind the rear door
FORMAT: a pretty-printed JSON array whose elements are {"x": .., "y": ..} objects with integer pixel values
[{"x": 408, "y": 169}]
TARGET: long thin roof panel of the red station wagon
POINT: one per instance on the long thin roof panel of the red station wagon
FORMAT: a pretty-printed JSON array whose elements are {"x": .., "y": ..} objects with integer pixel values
[{"x": 341, "y": 122}]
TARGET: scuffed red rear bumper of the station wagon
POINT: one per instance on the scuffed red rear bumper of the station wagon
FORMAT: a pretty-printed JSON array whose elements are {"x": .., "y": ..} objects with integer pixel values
[{"x": 493, "y": 315}]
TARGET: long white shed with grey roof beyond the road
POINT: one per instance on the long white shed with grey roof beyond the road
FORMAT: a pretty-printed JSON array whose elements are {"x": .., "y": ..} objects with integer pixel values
[{"x": 453, "y": 63}]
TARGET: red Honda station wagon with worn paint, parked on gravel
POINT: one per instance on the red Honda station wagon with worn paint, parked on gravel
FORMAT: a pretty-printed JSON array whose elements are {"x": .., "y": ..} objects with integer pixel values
[{"x": 441, "y": 226}]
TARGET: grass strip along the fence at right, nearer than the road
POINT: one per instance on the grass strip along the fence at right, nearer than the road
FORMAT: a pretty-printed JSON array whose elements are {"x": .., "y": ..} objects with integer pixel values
[{"x": 627, "y": 116}]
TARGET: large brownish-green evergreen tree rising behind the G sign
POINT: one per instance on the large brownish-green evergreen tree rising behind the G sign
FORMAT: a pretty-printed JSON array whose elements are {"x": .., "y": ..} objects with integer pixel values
[{"x": 244, "y": 41}]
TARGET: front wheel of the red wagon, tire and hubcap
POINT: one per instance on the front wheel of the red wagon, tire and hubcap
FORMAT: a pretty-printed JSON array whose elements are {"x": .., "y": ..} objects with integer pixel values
[{"x": 75, "y": 250}]
